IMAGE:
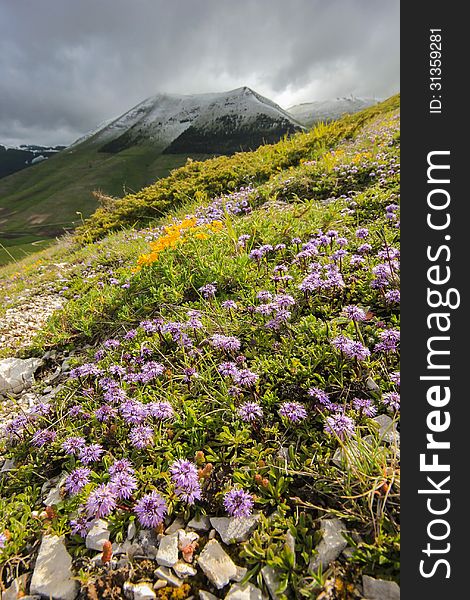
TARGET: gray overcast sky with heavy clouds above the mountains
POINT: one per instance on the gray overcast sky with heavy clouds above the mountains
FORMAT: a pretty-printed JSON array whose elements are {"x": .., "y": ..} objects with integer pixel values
[{"x": 67, "y": 65}]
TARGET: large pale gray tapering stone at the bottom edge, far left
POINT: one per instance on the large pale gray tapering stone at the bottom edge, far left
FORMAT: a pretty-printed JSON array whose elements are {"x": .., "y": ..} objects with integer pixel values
[{"x": 52, "y": 576}]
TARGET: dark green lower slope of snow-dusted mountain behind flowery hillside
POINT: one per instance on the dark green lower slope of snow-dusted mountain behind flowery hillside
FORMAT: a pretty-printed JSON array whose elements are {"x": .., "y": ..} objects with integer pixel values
[{"x": 44, "y": 199}]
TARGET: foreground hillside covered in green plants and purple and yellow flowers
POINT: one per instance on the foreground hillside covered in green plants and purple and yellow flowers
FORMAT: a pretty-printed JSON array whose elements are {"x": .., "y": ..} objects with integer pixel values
[{"x": 240, "y": 315}]
